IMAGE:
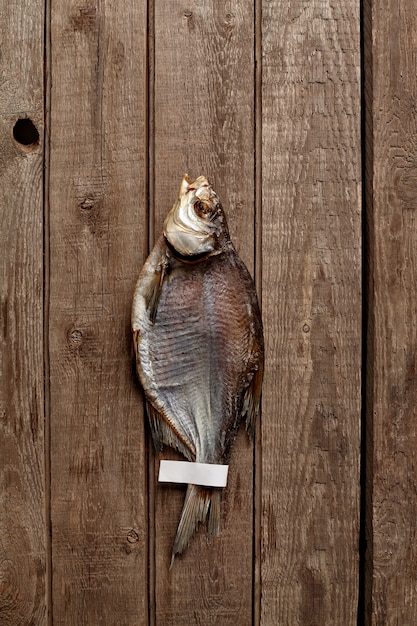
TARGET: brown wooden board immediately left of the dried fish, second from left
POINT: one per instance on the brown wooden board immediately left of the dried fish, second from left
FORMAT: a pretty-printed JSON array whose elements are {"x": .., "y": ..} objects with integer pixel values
[{"x": 98, "y": 236}]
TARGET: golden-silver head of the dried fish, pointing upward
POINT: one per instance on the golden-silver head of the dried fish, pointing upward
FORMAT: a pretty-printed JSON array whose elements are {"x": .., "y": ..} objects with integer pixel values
[{"x": 196, "y": 225}]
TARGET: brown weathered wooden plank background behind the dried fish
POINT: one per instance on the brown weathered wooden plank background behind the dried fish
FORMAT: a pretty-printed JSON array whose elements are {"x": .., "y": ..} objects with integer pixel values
[{"x": 302, "y": 113}]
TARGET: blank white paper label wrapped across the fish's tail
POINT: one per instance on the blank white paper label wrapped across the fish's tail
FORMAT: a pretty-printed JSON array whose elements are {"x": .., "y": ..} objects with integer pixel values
[{"x": 205, "y": 474}]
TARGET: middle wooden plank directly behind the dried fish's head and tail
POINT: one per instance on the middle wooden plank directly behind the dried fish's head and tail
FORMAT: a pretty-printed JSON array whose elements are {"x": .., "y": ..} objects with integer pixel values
[{"x": 204, "y": 124}]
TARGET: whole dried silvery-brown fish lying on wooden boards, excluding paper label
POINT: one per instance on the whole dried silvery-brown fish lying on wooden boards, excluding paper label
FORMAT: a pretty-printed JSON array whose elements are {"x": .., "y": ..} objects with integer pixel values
[{"x": 198, "y": 343}]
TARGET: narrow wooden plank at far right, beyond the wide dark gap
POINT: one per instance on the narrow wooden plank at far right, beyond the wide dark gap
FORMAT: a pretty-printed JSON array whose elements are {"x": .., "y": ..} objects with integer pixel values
[{"x": 392, "y": 379}]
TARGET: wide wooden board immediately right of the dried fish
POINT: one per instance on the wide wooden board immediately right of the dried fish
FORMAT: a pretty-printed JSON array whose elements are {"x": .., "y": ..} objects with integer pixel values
[{"x": 311, "y": 268}]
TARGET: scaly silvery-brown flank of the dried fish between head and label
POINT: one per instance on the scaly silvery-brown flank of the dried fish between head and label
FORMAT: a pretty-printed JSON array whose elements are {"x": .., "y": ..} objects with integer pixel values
[{"x": 199, "y": 347}]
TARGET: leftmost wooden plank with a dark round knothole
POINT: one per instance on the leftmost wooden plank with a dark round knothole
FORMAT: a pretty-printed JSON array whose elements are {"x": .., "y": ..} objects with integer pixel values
[{"x": 23, "y": 536}]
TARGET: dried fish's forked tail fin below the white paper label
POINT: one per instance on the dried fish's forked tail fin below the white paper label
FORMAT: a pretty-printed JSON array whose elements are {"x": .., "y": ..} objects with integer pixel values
[{"x": 198, "y": 503}]
